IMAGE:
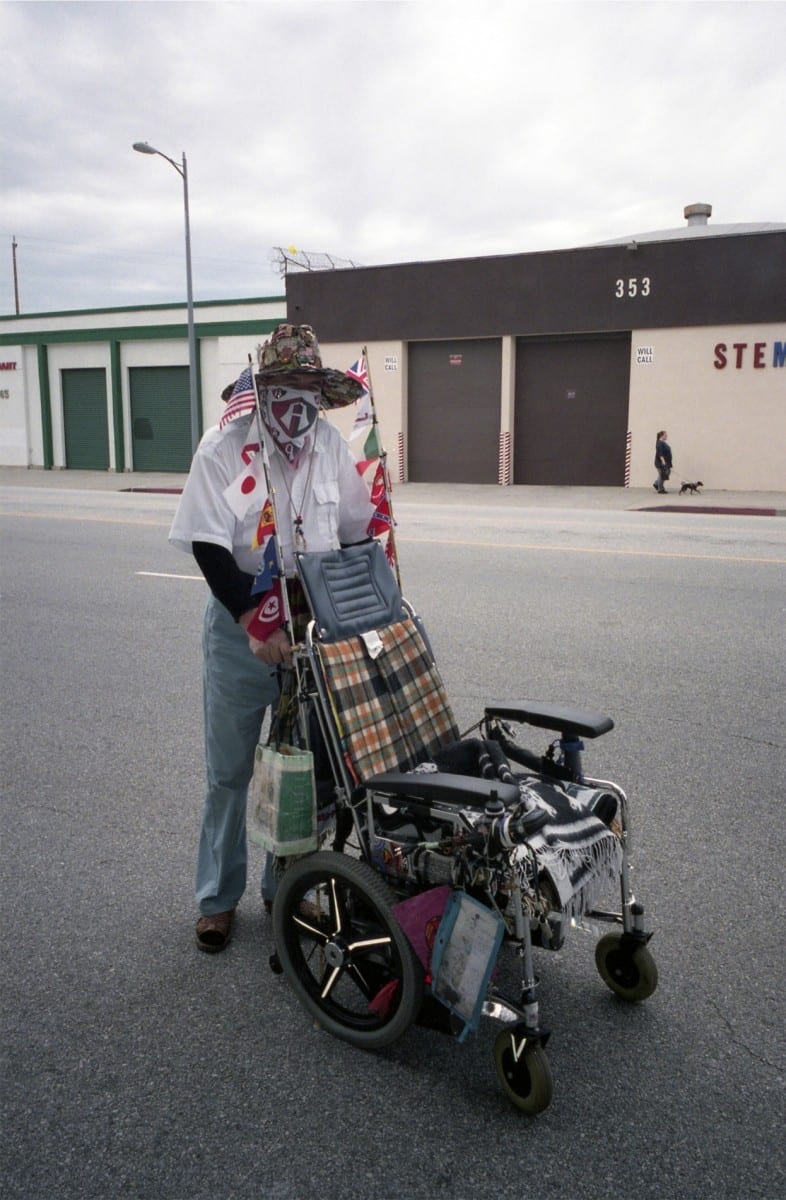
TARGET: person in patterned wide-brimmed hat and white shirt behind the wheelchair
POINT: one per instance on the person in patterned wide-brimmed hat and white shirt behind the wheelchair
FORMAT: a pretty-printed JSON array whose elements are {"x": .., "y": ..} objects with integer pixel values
[{"x": 322, "y": 503}]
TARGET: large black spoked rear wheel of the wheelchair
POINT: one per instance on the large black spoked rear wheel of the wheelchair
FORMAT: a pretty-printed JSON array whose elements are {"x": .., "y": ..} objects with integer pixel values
[{"x": 344, "y": 952}]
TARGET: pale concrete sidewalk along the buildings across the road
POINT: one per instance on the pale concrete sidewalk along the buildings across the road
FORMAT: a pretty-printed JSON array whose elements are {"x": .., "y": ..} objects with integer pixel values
[{"x": 518, "y": 496}]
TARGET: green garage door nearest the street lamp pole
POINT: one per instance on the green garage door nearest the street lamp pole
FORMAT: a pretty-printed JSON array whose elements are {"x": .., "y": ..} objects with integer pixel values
[{"x": 160, "y": 418}]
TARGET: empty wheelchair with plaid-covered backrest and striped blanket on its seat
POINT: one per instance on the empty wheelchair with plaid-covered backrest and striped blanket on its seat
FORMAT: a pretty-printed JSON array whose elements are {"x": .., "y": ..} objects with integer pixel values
[{"x": 446, "y": 849}]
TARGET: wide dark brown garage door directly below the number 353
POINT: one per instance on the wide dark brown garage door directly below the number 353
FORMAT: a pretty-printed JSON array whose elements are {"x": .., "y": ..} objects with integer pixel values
[{"x": 572, "y": 411}]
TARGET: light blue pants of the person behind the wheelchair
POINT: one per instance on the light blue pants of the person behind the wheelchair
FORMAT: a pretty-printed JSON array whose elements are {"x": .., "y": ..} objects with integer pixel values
[{"x": 238, "y": 689}]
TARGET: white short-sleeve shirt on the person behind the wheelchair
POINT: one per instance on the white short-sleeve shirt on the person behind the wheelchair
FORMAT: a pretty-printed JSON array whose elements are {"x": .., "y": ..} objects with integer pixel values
[{"x": 326, "y": 489}]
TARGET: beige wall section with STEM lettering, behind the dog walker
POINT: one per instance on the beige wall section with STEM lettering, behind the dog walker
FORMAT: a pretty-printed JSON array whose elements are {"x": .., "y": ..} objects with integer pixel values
[{"x": 727, "y": 423}]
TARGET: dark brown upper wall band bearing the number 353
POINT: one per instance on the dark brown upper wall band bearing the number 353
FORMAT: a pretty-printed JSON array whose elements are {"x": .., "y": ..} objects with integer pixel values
[{"x": 700, "y": 281}]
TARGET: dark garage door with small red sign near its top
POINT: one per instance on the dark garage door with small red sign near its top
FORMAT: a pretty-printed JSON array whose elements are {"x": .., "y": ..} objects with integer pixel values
[{"x": 454, "y": 412}]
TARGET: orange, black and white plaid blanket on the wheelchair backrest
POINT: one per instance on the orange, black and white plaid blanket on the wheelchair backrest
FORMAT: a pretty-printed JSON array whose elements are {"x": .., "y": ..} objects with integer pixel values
[{"x": 392, "y": 710}]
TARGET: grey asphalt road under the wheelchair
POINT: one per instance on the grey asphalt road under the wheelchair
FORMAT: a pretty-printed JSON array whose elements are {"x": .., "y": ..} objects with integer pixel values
[{"x": 137, "y": 1069}]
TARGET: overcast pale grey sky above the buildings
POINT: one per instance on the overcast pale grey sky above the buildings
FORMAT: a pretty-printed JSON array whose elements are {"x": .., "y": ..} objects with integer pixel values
[{"x": 373, "y": 130}]
